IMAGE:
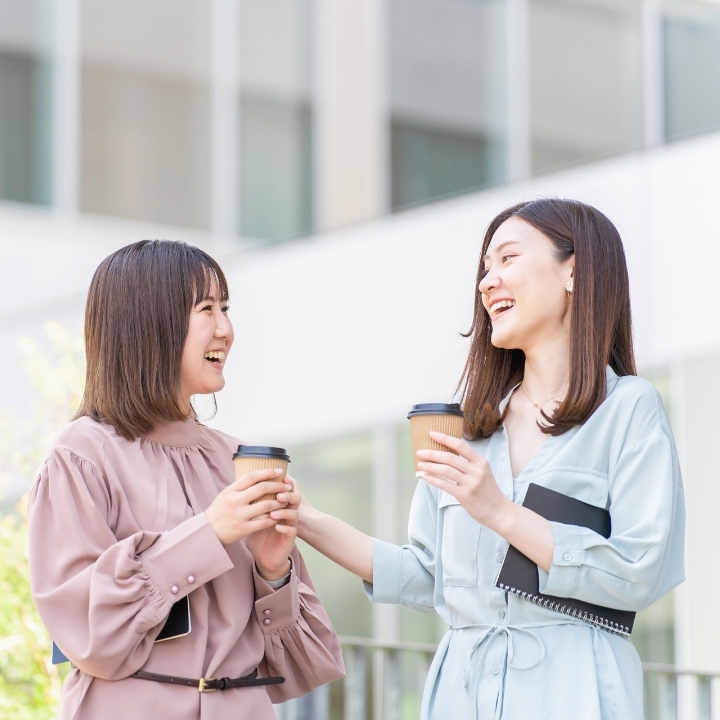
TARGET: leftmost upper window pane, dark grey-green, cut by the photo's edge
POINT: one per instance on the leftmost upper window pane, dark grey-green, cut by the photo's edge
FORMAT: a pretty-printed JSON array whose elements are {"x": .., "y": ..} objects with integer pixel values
[{"x": 25, "y": 100}]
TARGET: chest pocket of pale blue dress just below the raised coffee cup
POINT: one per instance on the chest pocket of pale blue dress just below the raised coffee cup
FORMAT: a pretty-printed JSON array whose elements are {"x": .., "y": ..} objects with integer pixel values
[{"x": 460, "y": 542}]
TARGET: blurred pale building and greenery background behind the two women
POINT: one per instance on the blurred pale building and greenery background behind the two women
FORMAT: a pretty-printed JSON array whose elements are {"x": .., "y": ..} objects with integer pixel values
[{"x": 342, "y": 159}]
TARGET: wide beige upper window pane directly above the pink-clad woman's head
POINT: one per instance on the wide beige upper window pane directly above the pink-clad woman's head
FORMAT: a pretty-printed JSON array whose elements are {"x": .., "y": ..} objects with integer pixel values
[{"x": 145, "y": 109}]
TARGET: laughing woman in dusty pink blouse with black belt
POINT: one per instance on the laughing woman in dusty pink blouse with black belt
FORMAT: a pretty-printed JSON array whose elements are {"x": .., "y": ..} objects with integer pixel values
[{"x": 136, "y": 508}]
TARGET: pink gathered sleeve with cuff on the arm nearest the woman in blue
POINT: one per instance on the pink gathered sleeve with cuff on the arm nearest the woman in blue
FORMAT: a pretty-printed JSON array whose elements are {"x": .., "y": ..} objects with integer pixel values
[{"x": 300, "y": 642}]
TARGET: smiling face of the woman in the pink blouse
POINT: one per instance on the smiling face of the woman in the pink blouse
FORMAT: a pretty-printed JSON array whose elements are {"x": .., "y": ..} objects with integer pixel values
[{"x": 210, "y": 336}]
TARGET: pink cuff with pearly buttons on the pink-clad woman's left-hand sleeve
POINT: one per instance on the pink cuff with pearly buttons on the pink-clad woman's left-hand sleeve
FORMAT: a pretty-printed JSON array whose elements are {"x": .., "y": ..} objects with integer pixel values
[{"x": 185, "y": 557}]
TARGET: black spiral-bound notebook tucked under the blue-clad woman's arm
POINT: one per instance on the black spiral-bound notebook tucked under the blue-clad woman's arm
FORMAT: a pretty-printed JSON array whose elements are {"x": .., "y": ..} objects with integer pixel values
[{"x": 519, "y": 574}]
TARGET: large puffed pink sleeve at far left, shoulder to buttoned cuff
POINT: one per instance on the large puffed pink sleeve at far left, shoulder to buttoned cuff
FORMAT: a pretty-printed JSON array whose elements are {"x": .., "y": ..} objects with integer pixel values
[{"x": 105, "y": 600}]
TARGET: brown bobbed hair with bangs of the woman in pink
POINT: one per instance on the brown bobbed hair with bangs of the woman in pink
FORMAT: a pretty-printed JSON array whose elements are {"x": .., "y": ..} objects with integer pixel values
[{"x": 136, "y": 323}]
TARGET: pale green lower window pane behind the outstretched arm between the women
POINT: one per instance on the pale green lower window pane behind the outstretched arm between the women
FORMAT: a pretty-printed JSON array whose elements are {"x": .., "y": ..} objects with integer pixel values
[{"x": 336, "y": 476}]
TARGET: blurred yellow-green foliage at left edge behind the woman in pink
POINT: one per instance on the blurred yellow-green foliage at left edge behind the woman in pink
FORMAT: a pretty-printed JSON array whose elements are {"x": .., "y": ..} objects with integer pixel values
[{"x": 29, "y": 683}]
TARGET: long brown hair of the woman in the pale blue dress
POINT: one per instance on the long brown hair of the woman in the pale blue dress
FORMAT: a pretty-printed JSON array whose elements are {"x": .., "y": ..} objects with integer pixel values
[{"x": 600, "y": 326}]
